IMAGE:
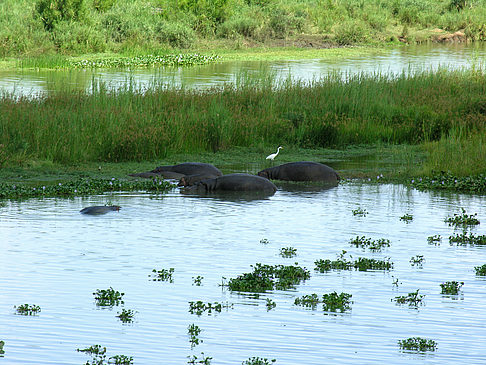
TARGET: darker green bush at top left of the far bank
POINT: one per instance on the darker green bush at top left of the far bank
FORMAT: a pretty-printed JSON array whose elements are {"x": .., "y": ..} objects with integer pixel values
[{"x": 53, "y": 11}]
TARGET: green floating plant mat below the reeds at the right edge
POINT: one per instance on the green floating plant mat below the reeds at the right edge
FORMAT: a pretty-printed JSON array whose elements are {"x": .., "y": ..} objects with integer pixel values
[{"x": 471, "y": 184}]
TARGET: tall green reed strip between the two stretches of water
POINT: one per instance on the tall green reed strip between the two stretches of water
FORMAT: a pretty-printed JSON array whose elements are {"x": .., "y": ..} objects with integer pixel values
[{"x": 432, "y": 121}]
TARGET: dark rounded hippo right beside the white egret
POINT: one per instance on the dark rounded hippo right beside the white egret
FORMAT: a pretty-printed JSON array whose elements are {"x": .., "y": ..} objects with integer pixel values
[{"x": 301, "y": 171}]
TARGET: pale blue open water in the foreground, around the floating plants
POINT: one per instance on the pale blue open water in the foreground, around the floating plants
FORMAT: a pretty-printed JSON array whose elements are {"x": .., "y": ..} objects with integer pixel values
[{"x": 54, "y": 257}]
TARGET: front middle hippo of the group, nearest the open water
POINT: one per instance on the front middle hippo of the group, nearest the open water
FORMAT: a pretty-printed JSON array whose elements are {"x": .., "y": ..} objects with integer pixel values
[{"x": 235, "y": 182}]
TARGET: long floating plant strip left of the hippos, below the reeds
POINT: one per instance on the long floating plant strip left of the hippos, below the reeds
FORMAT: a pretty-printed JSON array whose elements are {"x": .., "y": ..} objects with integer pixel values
[{"x": 81, "y": 187}]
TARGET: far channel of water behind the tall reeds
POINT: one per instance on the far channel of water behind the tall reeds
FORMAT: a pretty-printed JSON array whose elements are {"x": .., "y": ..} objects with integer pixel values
[{"x": 404, "y": 59}]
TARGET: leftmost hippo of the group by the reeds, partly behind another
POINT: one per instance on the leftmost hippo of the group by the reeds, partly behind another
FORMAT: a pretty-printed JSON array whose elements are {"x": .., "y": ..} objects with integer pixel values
[{"x": 180, "y": 170}]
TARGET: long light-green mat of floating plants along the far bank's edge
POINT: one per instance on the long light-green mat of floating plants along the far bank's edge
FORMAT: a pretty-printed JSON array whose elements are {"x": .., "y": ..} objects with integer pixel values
[{"x": 146, "y": 61}]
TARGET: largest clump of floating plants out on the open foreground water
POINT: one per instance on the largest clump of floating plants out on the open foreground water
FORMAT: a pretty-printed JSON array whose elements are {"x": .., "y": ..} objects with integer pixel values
[{"x": 268, "y": 277}]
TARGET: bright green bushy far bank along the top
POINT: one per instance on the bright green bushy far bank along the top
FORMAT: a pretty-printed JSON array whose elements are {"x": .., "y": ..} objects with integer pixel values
[{"x": 32, "y": 28}]
